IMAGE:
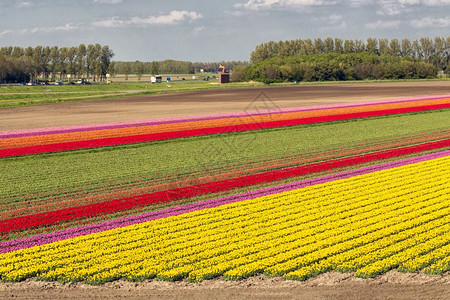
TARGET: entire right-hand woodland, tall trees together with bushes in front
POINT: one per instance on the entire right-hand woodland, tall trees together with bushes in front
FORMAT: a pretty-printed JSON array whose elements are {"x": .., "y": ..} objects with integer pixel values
[{"x": 338, "y": 59}]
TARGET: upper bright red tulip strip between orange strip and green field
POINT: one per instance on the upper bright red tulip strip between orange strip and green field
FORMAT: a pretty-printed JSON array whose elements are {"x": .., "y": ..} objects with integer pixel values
[{"x": 205, "y": 131}]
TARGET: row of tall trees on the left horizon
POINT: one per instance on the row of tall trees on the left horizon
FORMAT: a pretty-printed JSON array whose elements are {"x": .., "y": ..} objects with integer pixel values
[{"x": 19, "y": 64}]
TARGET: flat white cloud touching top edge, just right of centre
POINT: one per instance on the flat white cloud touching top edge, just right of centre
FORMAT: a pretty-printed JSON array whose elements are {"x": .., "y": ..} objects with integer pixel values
[{"x": 267, "y": 4}]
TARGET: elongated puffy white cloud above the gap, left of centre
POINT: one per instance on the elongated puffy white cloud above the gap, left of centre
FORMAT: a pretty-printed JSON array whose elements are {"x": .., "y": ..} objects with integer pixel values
[{"x": 174, "y": 17}]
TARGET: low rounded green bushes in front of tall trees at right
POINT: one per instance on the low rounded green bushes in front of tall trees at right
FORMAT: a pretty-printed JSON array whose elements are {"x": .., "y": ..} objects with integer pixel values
[{"x": 335, "y": 67}]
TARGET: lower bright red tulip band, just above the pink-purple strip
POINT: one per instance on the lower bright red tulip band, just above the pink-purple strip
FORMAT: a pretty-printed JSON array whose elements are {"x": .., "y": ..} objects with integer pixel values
[{"x": 95, "y": 209}]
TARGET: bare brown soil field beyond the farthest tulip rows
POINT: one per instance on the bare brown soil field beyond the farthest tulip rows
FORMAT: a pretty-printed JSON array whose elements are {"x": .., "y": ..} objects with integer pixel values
[{"x": 207, "y": 102}]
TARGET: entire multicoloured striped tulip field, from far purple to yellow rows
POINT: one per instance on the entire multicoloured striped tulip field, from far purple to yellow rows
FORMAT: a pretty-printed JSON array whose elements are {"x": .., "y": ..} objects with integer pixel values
[{"x": 359, "y": 188}]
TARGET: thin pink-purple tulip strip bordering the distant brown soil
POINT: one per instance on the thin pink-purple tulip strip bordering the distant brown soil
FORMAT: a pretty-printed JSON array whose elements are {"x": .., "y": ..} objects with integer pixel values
[{"x": 89, "y": 127}]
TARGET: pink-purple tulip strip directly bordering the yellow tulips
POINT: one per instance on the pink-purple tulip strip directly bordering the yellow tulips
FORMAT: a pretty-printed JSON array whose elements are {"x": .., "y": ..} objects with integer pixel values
[{"x": 92, "y": 228}]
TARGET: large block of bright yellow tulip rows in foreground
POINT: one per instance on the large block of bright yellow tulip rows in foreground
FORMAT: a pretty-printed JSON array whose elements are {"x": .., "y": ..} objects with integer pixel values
[{"x": 318, "y": 227}]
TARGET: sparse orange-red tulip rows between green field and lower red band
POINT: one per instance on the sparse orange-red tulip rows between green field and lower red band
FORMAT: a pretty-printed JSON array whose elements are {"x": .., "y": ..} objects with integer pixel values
[{"x": 87, "y": 195}]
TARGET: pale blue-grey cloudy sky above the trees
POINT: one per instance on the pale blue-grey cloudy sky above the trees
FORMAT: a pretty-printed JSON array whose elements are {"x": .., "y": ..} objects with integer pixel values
[{"x": 211, "y": 30}]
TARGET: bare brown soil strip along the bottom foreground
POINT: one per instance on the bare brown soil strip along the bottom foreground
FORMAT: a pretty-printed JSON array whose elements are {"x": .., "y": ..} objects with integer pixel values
[{"x": 392, "y": 285}]
